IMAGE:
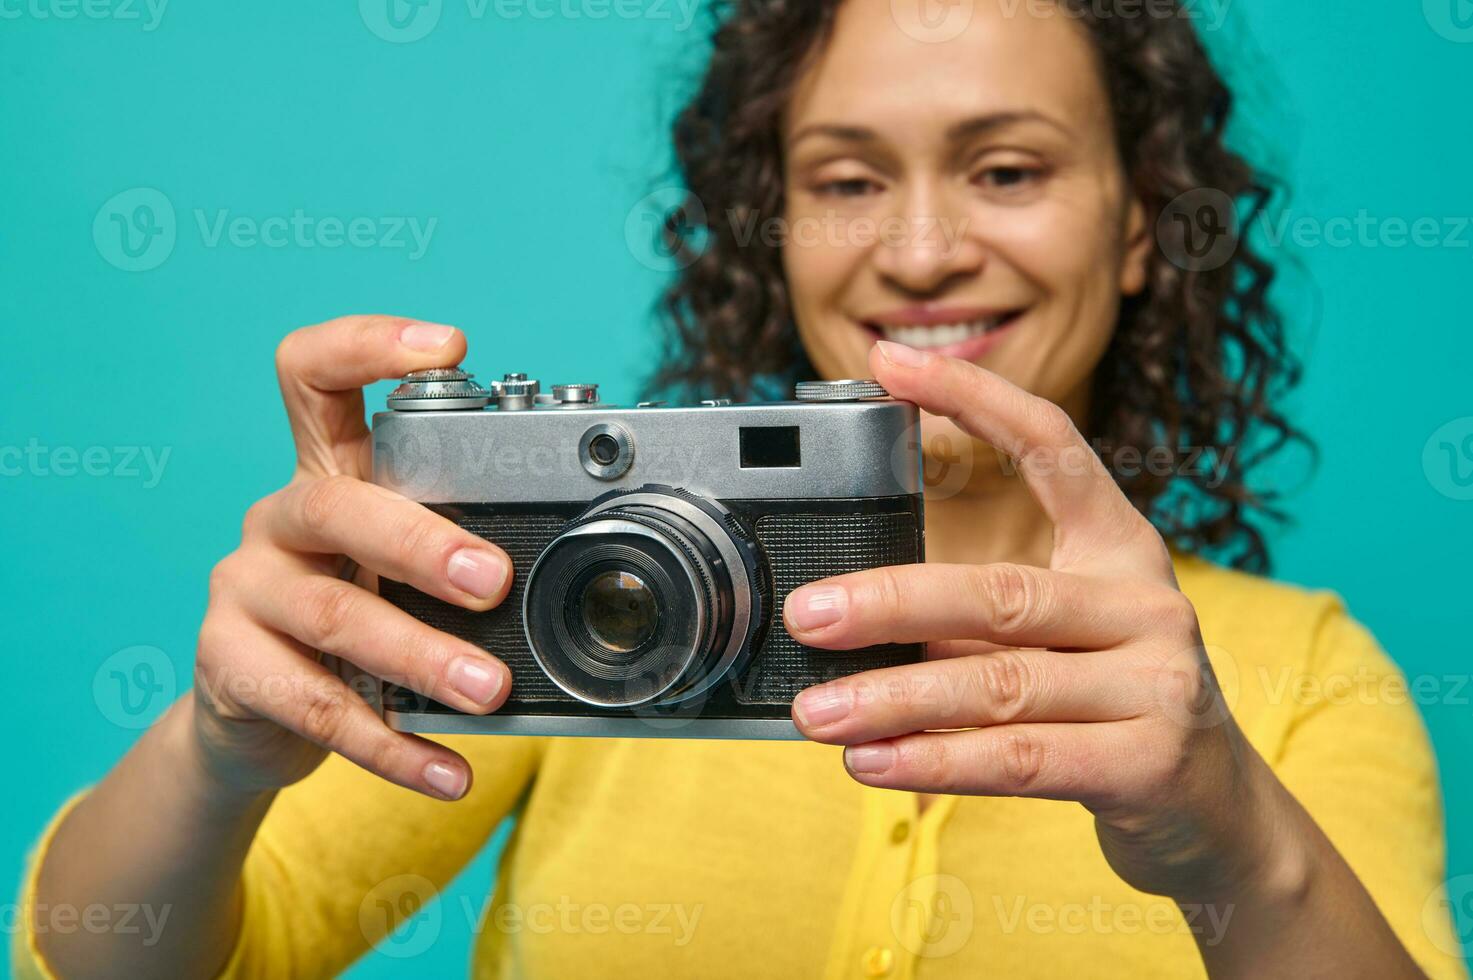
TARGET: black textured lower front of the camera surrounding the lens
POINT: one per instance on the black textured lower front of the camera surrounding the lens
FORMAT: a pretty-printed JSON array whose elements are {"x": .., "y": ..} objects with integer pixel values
[{"x": 799, "y": 542}]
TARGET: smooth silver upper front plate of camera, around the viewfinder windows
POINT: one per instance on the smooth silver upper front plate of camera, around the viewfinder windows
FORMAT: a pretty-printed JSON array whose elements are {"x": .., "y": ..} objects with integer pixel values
[{"x": 848, "y": 450}]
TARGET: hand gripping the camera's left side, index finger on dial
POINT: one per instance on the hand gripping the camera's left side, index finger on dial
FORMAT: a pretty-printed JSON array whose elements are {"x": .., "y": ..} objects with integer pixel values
[{"x": 266, "y": 710}]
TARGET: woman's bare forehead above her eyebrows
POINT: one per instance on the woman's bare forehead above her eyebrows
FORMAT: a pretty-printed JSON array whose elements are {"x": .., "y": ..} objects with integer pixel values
[{"x": 880, "y": 70}]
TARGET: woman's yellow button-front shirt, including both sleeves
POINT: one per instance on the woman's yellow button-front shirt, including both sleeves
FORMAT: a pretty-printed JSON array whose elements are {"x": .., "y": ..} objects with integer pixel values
[{"x": 669, "y": 858}]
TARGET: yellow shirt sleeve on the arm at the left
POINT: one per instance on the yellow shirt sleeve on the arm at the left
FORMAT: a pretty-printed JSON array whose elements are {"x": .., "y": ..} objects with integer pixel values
[{"x": 341, "y": 860}]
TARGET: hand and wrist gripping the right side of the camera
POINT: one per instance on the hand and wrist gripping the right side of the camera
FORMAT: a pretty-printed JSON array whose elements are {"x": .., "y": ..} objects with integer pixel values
[{"x": 1083, "y": 682}]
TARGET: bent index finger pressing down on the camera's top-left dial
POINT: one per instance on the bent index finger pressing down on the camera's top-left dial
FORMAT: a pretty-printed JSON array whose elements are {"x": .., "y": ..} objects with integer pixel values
[{"x": 323, "y": 371}]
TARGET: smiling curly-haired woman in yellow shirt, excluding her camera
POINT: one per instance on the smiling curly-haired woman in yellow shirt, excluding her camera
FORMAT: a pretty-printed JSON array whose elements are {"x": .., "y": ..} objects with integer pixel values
[{"x": 1026, "y": 155}]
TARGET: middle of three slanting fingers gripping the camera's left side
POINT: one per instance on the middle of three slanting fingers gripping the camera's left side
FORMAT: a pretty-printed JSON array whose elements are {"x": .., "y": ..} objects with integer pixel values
[{"x": 334, "y": 617}]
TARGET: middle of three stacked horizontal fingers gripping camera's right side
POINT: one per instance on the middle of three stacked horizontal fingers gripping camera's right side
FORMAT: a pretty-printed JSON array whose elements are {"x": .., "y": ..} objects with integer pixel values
[{"x": 994, "y": 689}]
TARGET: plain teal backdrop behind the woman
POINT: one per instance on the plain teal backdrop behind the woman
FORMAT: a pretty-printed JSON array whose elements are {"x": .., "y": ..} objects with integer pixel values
[{"x": 530, "y": 142}]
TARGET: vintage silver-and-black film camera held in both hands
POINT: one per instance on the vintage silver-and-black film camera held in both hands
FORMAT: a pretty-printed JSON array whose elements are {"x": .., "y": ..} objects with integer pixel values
[{"x": 653, "y": 547}]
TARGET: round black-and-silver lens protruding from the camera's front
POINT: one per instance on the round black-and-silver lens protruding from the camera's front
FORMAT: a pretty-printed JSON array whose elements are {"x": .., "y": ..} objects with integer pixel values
[{"x": 647, "y": 599}]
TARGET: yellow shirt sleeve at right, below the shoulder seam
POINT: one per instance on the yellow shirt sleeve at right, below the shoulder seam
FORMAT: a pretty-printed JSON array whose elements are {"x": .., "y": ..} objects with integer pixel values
[{"x": 1359, "y": 758}]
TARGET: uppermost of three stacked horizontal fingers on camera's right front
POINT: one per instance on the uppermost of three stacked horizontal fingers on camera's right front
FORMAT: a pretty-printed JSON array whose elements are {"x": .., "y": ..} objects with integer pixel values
[{"x": 1014, "y": 605}]
